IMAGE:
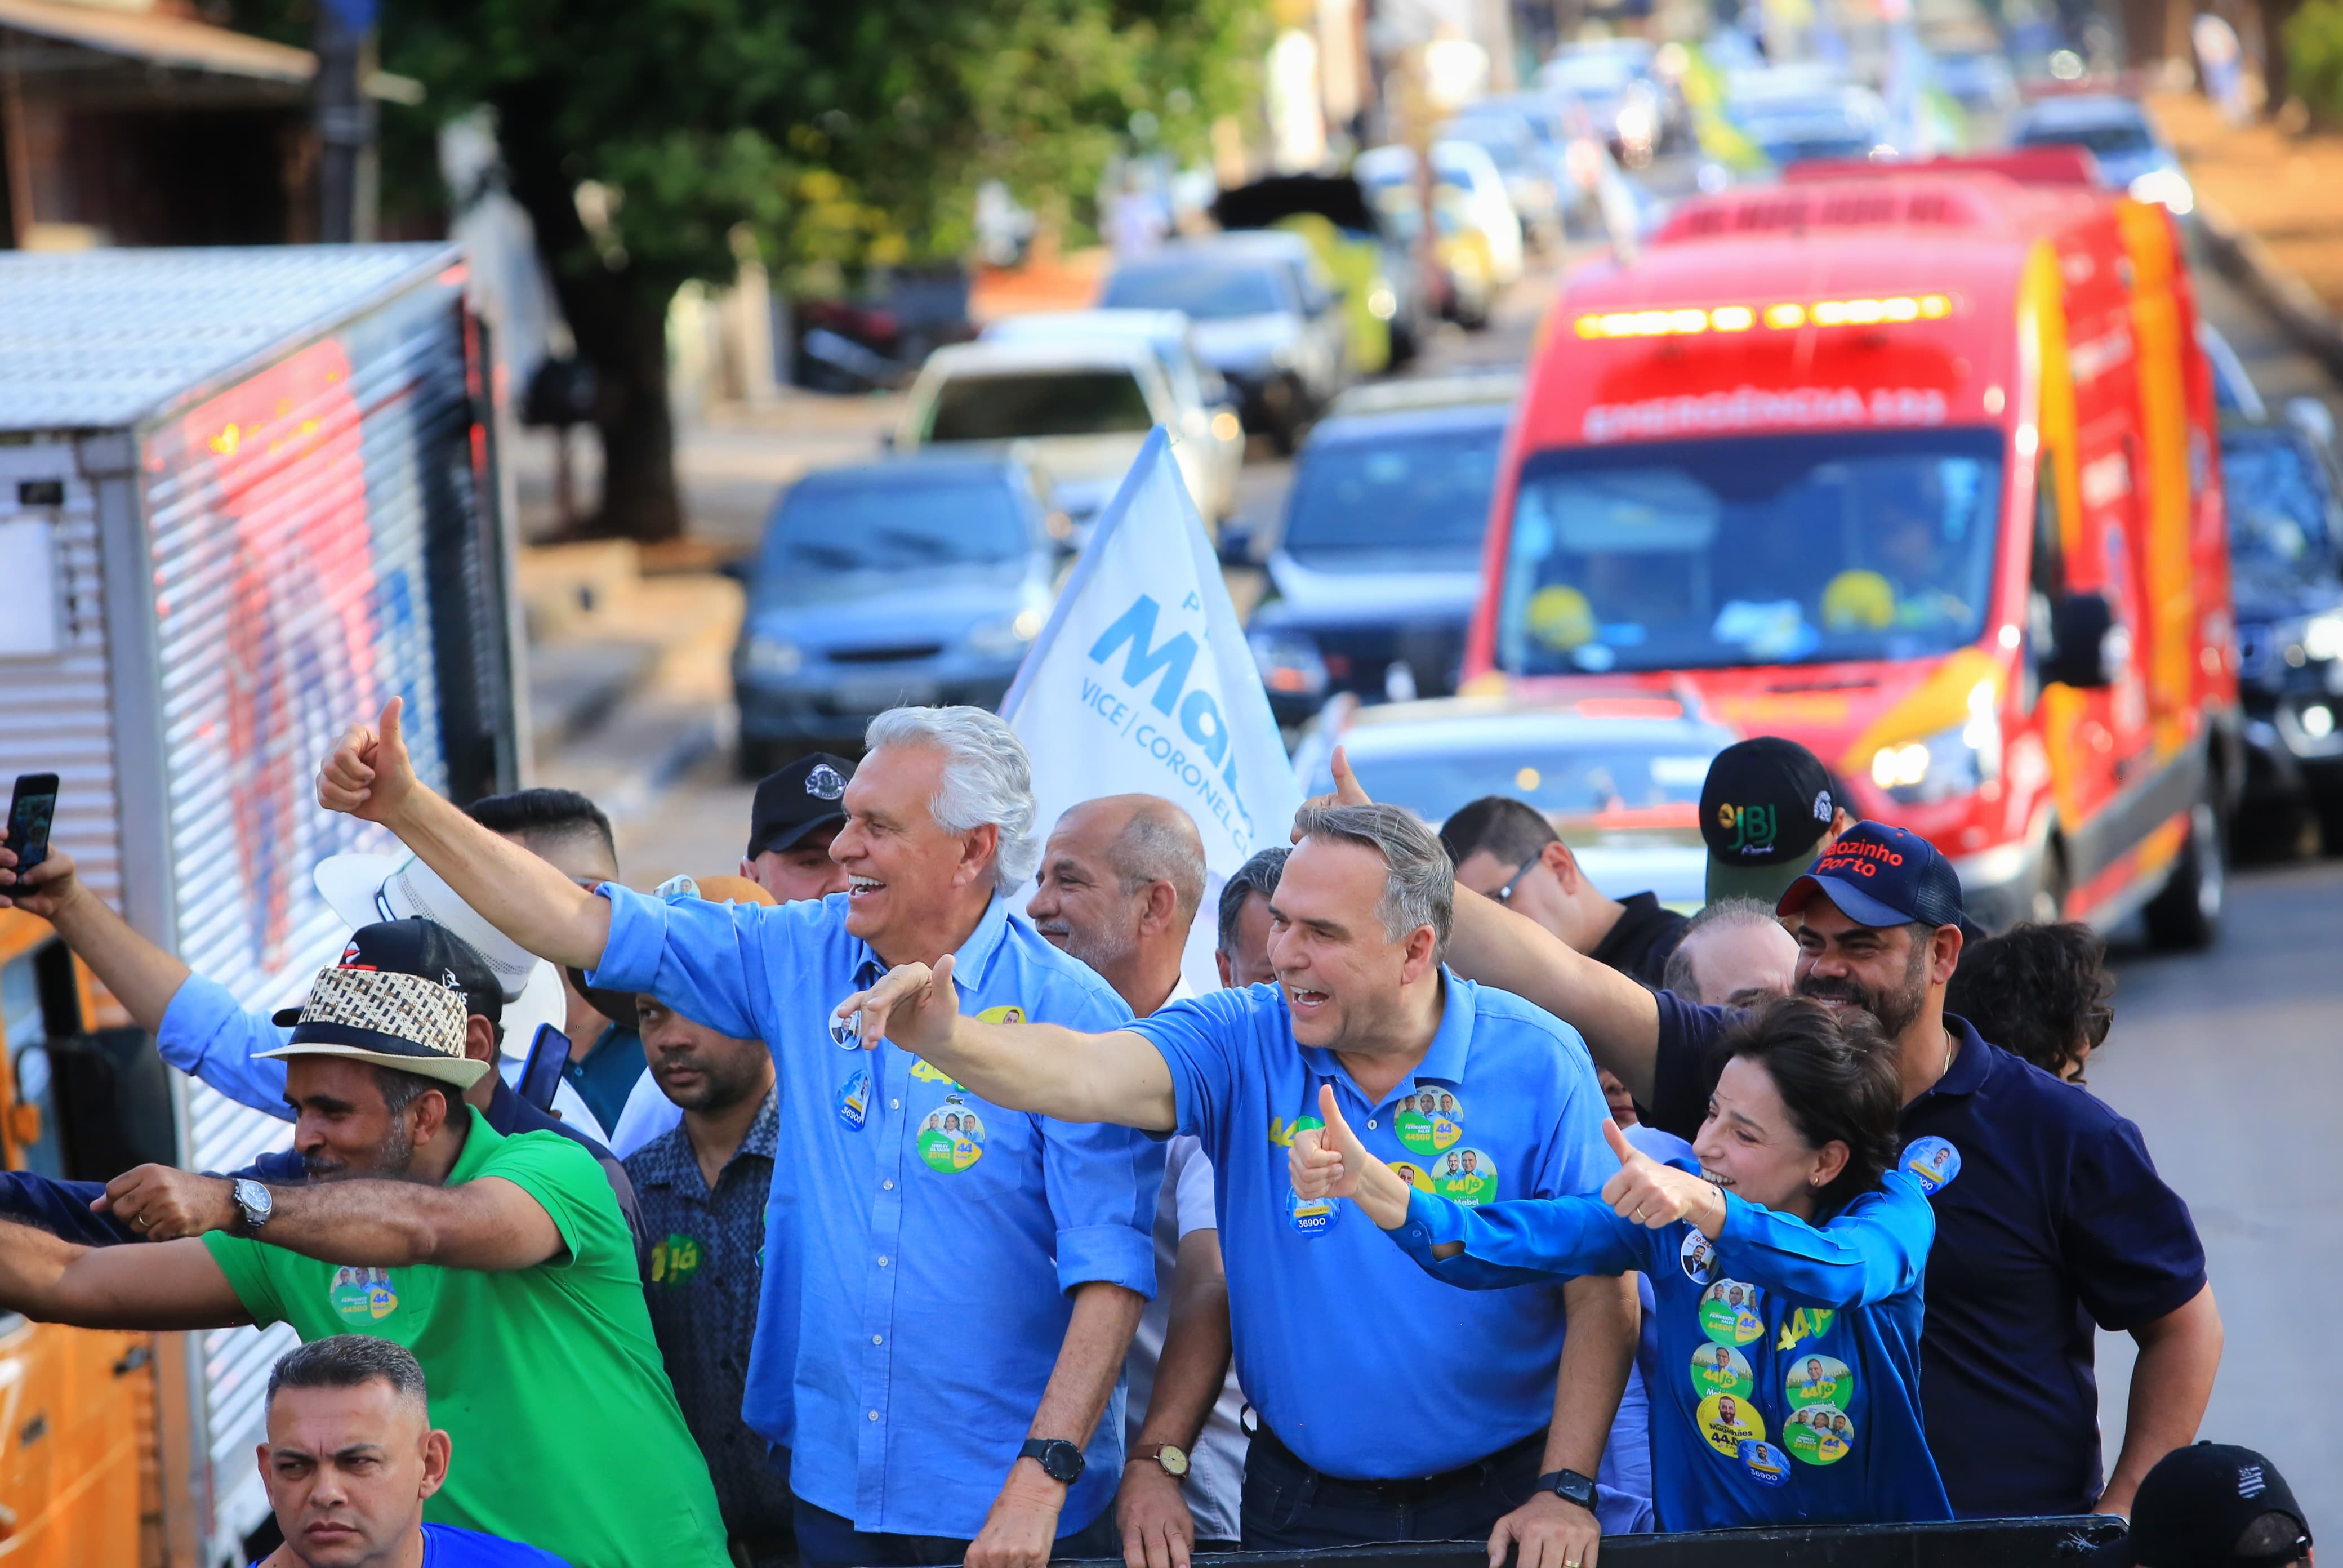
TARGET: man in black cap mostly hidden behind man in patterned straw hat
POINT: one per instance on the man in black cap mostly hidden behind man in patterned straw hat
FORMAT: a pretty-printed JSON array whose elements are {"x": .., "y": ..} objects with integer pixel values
[{"x": 402, "y": 948}]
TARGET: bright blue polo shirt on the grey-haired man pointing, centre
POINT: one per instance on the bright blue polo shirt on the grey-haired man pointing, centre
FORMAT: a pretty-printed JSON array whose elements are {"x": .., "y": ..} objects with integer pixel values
[{"x": 1505, "y": 1105}]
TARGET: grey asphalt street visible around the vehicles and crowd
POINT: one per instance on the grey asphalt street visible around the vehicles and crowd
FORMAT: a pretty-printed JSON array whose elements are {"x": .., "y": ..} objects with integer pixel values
[{"x": 2227, "y": 1061}]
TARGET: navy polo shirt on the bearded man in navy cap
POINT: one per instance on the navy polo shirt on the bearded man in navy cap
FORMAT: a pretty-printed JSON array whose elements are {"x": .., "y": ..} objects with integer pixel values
[{"x": 2049, "y": 1220}]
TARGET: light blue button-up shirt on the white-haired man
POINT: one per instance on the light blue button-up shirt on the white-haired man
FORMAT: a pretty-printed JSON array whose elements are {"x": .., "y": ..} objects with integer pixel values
[{"x": 917, "y": 1267}]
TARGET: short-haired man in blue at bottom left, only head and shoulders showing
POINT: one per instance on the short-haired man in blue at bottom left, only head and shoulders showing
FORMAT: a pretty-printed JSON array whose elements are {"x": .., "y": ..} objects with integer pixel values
[{"x": 353, "y": 1459}]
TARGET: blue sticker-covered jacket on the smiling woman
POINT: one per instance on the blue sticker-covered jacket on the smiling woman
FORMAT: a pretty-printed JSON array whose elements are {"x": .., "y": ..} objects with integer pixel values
[{"x": 1789, "y": 1354}]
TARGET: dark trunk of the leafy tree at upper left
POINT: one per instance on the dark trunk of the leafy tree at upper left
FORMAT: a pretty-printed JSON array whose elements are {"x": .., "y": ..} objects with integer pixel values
[{"x": 620, "y": 322}]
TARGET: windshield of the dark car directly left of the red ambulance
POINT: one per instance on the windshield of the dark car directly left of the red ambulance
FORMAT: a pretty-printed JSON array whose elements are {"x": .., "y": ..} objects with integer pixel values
[{"x": 1416, "y": 498}]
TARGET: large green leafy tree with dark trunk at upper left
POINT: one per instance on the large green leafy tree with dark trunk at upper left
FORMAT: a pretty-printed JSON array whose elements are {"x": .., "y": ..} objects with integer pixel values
[{"x": 833, "y": 132}]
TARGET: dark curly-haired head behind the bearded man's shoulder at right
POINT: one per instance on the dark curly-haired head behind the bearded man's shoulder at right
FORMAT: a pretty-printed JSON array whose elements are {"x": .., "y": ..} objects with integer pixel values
[{"x": 2040, "y": 993}]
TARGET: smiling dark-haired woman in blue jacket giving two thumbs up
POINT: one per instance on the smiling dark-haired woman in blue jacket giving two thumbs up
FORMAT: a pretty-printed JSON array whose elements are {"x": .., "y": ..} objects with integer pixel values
[{"x": 1787, "y": 1274}]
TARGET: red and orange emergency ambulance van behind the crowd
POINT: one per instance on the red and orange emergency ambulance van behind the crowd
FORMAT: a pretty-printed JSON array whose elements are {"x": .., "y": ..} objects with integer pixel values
[{"x": 1913, "y": 465}]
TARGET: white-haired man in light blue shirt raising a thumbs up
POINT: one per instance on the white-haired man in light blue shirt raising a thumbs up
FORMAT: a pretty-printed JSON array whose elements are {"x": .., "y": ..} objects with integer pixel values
[{"x": 936, "y": 1314}]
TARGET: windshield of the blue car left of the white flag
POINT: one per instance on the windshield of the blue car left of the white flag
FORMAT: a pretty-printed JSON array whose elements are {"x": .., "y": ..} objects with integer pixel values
[{"x": 892, "y": 529}]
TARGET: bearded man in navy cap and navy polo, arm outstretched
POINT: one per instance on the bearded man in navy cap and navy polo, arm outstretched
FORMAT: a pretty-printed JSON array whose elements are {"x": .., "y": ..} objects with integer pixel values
[{"x": 2051, "y": 1215}]
